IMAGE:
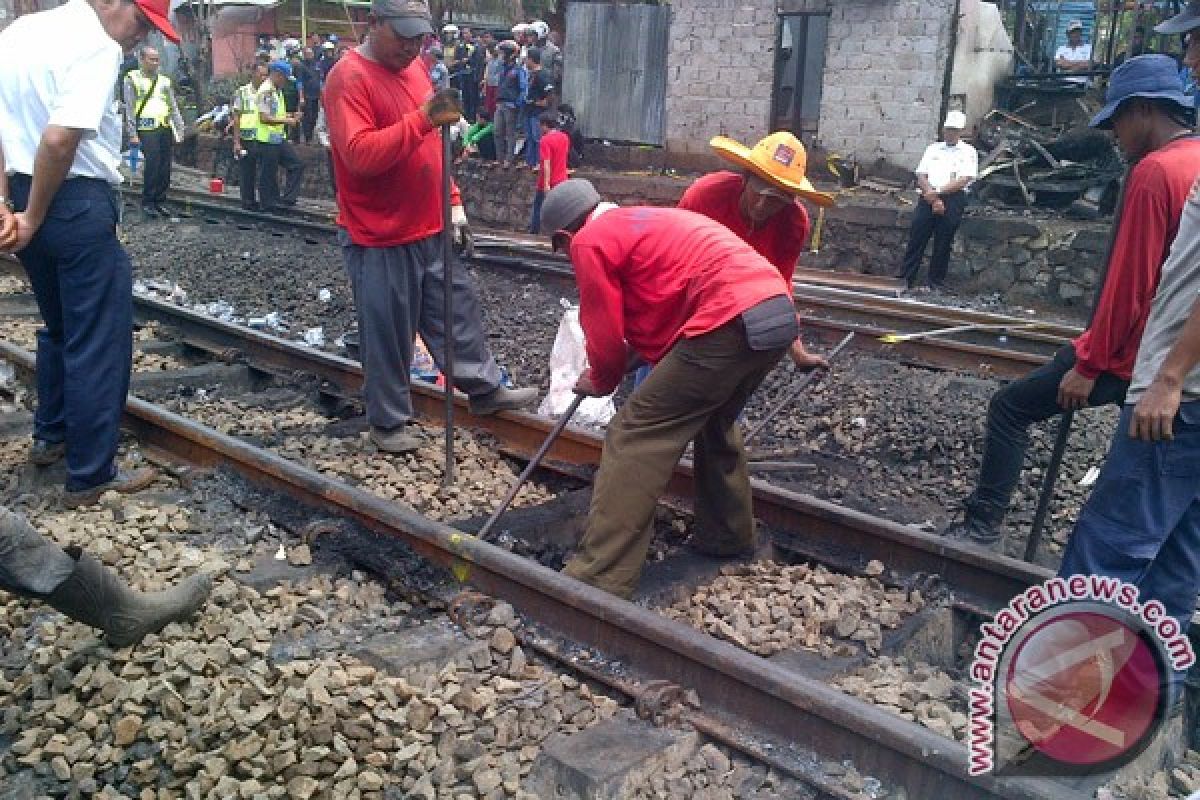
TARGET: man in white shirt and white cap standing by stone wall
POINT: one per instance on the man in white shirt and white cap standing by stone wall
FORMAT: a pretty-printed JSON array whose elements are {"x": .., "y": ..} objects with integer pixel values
[{"x": 943, "y": 178}]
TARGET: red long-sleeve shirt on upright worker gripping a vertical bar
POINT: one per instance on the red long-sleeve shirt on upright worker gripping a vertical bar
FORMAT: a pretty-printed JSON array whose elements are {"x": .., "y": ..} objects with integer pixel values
[{"x": 387, "y": 155}]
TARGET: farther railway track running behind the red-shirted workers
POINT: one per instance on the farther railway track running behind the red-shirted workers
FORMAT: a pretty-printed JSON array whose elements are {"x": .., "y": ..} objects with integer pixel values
[{"x": 1000, "y": 346}]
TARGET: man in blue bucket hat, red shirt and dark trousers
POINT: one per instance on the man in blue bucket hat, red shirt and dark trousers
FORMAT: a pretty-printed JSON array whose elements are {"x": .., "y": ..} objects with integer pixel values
[{"x": 1153, "y": 127}]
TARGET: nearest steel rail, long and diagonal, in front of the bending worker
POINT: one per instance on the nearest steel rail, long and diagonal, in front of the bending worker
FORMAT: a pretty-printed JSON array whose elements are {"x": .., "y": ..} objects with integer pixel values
[{"x": 728, "y": 679}]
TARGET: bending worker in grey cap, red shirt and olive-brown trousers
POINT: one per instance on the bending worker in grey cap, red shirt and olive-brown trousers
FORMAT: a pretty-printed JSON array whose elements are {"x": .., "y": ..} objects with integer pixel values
[{"x": 682, "y": 292}]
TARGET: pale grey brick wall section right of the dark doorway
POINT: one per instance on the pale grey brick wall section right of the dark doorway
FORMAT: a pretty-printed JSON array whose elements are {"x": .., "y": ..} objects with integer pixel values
[{"x": 884, "y": 80}]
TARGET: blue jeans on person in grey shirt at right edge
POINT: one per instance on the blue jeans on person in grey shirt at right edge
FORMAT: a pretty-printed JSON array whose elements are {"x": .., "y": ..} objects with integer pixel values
[{"x": 1142, "y": 524}]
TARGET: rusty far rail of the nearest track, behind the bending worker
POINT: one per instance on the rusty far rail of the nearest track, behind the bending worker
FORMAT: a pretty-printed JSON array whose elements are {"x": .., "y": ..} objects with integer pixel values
[{"x": 824, "y": 531}]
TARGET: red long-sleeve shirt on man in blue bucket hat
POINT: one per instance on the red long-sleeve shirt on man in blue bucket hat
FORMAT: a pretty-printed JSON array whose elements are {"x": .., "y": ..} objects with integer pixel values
[{"x": 1156, "y": 194}]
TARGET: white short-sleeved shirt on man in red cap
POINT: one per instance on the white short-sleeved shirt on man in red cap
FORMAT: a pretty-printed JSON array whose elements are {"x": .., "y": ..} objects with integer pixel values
[{"x": 61, "y": 68}]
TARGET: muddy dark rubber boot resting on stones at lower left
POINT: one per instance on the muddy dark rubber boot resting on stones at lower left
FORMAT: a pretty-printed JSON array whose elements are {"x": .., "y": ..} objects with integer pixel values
[{"x": 94, "y": 596}]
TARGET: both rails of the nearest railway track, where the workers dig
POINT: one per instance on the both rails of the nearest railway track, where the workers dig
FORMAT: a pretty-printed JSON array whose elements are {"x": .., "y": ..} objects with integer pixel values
[{"x": 787, "y": 702}]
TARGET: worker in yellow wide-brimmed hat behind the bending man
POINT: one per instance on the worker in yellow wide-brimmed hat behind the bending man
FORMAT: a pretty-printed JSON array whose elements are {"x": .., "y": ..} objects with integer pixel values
[{"x": 763, "y": 202}]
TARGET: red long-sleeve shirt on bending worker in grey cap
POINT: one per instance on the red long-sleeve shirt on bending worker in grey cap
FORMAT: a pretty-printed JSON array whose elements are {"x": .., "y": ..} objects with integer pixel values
[{"x": 651, "y": 276}]
